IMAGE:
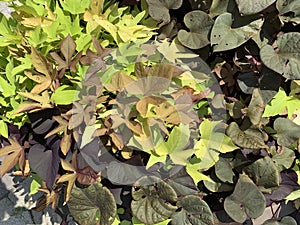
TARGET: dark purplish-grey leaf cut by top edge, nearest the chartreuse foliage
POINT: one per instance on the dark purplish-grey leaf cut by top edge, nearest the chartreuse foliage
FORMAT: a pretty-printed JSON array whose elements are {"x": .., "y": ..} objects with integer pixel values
[{"x": 159, "y": 9}]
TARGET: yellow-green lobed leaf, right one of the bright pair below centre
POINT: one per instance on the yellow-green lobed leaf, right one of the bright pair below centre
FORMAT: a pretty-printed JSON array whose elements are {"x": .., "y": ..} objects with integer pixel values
[{"x": 212, "y": 142}]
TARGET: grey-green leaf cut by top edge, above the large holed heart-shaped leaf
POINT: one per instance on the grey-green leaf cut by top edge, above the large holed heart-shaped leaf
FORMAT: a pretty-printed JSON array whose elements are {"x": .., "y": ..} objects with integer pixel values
[{"x": 252, "y": 7}]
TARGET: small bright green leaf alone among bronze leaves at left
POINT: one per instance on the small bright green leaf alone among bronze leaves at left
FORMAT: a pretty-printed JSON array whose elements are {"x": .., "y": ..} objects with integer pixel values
[{"x": 64, "y": 95}]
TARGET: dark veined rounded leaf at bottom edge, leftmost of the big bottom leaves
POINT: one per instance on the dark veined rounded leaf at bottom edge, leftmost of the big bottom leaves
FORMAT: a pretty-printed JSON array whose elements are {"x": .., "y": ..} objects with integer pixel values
[{"x": 86, "y": 204}]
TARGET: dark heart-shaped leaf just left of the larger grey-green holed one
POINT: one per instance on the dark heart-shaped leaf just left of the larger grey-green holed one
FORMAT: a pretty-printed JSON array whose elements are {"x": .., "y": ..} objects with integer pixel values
[{"x": 199, "y": 24}]
